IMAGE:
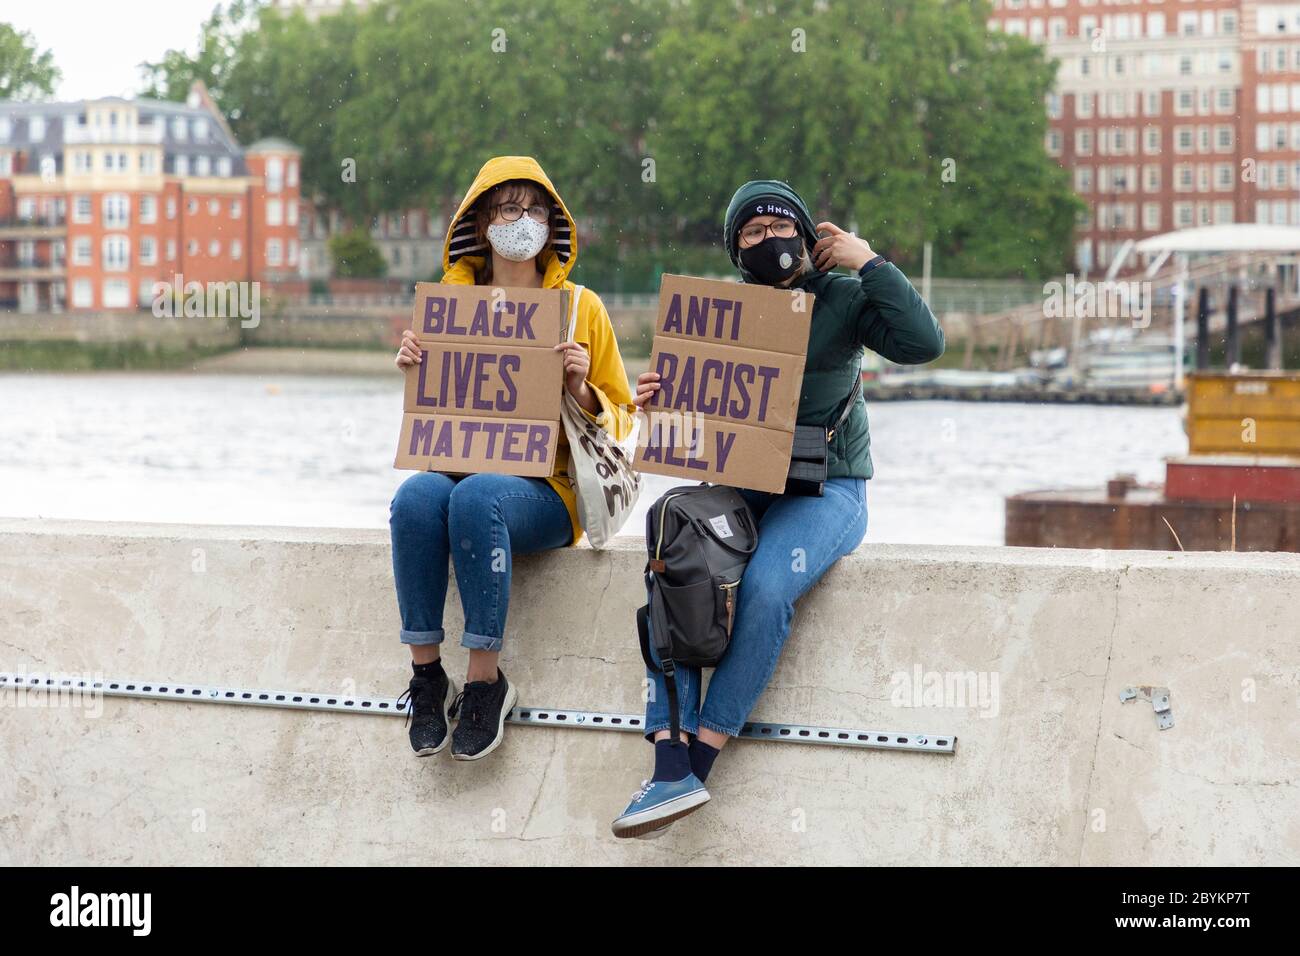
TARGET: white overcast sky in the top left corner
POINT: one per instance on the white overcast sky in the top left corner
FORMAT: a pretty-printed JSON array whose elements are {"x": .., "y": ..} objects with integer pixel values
[{"x": 101, "y": 44}]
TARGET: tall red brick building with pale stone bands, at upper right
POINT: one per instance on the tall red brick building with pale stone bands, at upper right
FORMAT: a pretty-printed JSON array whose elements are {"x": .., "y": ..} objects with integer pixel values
[{"x": 1171, "y": 114}]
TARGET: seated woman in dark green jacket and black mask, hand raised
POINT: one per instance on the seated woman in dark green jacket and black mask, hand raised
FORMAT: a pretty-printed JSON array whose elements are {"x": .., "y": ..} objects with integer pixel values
[{"x": 774, "y": 241}]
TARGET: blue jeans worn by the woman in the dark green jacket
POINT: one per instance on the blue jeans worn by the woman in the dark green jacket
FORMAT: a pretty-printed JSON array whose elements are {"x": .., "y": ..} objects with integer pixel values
[{"x": 799, "y": 539}]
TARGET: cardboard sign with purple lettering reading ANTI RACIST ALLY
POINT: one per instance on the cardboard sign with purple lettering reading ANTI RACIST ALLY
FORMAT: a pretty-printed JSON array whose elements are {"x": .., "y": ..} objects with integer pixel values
[{"x": 731, "y": 361}]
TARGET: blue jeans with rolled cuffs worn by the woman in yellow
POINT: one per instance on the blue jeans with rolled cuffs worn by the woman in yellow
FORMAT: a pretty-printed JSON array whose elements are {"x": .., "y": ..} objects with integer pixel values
[{"x": 478, "y": 522}]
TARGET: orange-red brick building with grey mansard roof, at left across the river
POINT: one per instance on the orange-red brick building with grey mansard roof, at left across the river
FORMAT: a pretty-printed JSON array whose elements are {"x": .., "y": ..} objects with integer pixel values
[{"x": 103, "y": 198}]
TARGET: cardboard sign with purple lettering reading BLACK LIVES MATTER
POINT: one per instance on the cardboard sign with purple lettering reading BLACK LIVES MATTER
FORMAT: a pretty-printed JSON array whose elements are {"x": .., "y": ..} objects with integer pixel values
[{"x": 487, "y": 393}]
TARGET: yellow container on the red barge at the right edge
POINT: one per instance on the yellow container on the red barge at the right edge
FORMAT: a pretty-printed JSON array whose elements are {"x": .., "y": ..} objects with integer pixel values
[{"x": 1247, "y": 414}]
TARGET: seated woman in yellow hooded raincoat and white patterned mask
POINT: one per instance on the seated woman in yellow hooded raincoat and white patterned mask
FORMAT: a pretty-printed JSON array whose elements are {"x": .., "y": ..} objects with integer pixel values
[{"x": 513, "y": 230}]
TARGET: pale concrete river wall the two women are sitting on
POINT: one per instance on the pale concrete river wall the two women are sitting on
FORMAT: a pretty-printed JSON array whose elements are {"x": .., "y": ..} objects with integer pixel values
[{"x": 1061, "y": 775}]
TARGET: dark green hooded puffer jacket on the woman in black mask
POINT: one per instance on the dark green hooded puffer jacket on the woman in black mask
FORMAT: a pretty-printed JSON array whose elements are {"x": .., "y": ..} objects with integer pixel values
[{"x": 881, "y": 312}]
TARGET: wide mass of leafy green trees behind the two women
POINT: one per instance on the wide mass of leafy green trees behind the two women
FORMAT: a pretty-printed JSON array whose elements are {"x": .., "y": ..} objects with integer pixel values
[{"x": 911, "y": 123}]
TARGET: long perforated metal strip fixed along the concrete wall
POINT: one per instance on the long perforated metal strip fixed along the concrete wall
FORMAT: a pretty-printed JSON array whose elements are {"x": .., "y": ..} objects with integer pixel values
[{"x": 382, "y": 707}]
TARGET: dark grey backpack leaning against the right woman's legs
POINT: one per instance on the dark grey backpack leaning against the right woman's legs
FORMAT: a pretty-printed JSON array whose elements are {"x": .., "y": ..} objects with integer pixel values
[{"x": 700, "y": 539}]
